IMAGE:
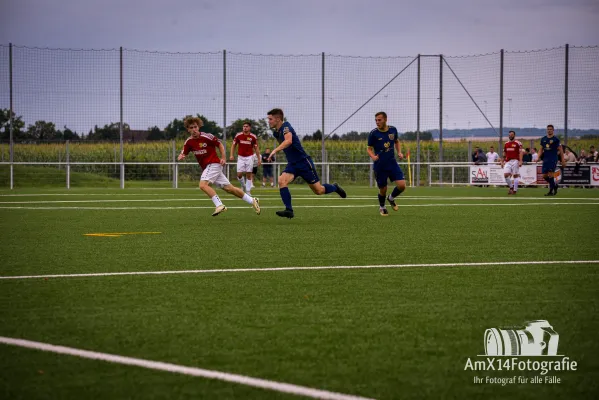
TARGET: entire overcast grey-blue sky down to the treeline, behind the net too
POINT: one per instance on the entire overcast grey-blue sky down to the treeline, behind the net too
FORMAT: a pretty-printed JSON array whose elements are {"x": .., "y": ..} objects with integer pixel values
[{"x": 81, "y": 89}]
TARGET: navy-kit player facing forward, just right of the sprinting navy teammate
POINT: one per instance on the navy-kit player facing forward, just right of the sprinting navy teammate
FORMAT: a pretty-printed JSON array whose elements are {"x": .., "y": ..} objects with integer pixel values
[{"x": 381, "y": 142}]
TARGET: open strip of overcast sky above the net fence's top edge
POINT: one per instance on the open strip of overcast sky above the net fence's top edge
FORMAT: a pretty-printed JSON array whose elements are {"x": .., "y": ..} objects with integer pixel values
[{"x": 348, "y": 27}]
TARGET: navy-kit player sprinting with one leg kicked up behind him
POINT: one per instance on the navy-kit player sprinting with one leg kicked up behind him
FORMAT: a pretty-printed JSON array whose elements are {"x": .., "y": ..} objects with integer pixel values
[{"x": 299, "y": 162}]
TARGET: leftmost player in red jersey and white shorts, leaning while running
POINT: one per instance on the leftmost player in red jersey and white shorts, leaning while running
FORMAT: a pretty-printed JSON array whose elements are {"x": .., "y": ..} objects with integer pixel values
[{"x": 203, "y": 145}]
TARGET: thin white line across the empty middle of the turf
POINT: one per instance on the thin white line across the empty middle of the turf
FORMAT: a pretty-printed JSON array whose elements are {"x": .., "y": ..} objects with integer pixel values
[{"x": 390, "y": 266}]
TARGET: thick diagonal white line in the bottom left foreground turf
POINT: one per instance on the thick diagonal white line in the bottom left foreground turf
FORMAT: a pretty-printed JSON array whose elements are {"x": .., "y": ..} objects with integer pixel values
[{"x": 180, "y": 369}]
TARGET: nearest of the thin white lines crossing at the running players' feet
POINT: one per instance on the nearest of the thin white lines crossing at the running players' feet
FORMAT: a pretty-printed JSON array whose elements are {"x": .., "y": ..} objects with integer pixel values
[{"x": 310, "y": 206}]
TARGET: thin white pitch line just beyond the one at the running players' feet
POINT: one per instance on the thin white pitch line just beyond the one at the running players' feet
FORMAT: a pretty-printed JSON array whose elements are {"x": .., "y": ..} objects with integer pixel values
[{"x": 333, "y": 198}]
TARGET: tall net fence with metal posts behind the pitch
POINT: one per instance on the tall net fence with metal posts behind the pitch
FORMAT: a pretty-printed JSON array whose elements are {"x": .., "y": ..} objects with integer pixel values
[{"x": 79, "y": 95}]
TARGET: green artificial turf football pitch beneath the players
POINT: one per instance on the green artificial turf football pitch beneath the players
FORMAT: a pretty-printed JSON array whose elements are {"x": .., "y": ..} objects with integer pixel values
[{"x": 393, "y": 332}]
